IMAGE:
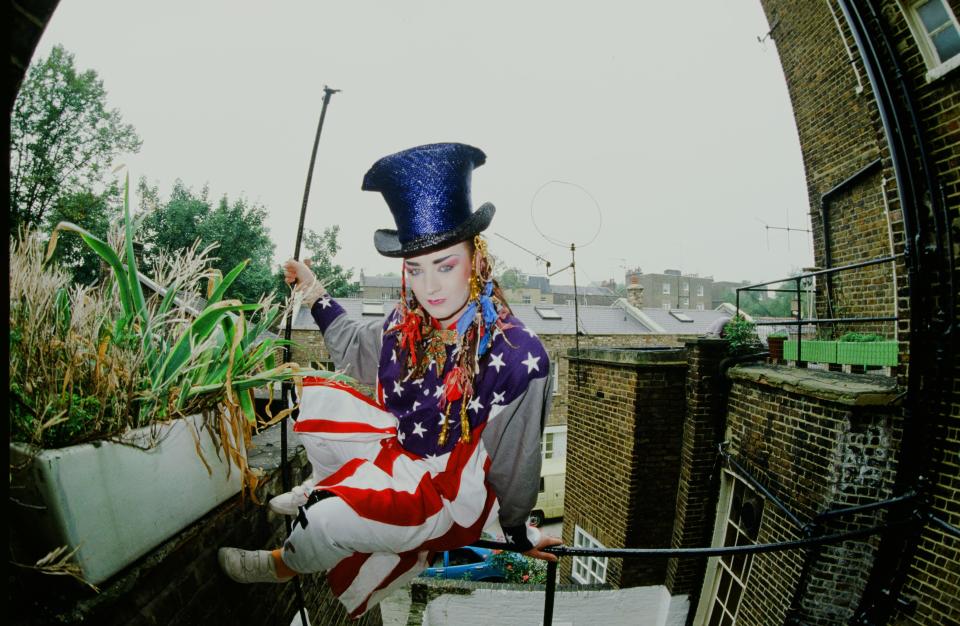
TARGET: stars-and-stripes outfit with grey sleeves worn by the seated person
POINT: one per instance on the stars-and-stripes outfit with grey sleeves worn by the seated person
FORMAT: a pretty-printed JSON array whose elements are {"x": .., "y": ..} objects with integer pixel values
[{"x": 401, "y": 495}]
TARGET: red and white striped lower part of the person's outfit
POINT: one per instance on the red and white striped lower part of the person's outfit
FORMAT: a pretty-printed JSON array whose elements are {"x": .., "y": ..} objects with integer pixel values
[{"x": 393, "y": 508}]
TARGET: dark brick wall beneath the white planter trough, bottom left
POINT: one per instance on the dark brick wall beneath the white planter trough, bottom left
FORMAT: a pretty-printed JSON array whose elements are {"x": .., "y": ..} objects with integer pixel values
[{"x": 180, "y": 583}]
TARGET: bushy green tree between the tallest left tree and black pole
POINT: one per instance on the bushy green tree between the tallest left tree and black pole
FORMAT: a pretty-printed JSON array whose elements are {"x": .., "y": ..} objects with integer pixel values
[{"x": 238, "y": 229}]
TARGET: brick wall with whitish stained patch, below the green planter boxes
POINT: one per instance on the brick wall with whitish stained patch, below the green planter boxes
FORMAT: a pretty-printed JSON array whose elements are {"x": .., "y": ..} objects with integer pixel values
[{"x": 815, "y": 451}]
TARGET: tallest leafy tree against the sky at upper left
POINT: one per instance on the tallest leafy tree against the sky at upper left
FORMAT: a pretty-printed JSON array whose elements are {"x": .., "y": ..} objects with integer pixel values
[{"x": 62, "y": 137}]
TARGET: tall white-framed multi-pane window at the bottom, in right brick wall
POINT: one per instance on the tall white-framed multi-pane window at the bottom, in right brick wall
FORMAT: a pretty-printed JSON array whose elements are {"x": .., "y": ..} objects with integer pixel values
[{"x": 727, "y": 576}]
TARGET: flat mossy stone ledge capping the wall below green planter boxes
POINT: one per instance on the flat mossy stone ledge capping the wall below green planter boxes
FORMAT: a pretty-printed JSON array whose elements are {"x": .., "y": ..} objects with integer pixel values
[{"x": 845, "y": 389}]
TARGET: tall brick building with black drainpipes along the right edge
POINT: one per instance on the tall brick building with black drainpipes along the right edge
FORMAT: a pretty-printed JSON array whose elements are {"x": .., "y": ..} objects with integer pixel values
[{"x": 876, "y": 98}]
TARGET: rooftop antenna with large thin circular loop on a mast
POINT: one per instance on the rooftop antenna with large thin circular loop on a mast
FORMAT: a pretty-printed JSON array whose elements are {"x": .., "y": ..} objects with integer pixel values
[{"x": 584, "y": 209}]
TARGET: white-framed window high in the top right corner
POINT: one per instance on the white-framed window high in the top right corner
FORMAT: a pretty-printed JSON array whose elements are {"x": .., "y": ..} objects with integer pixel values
[{"x": 937, "y": 32}]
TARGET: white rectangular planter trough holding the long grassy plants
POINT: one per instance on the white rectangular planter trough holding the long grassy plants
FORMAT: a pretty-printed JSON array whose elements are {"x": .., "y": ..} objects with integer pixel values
[{"x": 117, "y": 502}]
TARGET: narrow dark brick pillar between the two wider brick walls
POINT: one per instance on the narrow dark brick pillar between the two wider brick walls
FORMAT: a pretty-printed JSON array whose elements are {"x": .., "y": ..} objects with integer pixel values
[{"x": 697, "y": 491}]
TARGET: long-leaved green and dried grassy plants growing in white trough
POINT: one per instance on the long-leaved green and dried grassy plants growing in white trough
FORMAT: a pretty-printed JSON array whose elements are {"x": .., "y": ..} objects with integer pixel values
[{"x": 94, "y": 363}]
